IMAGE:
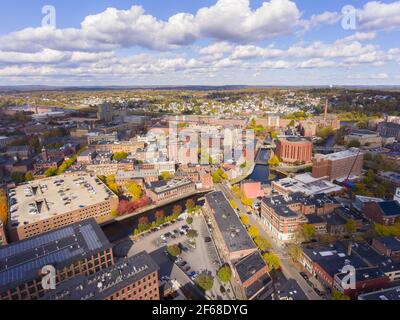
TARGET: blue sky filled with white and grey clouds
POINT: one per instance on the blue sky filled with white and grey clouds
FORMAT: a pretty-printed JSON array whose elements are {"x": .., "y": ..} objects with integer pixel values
[{"x": 203, "y": 42}]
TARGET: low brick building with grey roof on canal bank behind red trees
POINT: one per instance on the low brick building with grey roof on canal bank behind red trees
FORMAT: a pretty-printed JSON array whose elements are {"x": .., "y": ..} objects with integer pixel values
[{"x": 165, "y": 190}]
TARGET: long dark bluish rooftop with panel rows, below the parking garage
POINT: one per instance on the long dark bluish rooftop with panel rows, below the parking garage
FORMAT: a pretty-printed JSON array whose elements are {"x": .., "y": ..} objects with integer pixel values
[{"x": 20, "y": 261}]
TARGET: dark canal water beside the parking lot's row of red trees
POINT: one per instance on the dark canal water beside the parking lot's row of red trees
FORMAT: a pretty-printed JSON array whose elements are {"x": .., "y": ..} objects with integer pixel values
[{"x": 121, "y": 229}]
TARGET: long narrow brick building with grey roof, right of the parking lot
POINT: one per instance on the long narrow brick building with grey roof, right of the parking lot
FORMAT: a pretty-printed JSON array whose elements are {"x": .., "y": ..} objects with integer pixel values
[{"x": 232, "y": 240}]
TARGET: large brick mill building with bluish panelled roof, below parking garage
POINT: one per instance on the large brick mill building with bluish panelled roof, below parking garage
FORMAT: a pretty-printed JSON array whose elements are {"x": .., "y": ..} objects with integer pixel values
[{"x": 78, "y": 249}]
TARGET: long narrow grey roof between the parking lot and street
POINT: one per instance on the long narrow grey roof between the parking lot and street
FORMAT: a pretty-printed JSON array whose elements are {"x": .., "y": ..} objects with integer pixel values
[{"x": 235, "y": 235}]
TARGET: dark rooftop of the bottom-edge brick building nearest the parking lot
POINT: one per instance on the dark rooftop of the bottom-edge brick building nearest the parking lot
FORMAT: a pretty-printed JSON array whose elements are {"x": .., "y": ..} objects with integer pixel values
[{"x": 105, "y": 283}]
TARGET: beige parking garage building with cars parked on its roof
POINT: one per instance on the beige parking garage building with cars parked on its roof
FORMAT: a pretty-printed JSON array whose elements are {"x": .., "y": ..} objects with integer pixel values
[{"x": 43, "y": 205}]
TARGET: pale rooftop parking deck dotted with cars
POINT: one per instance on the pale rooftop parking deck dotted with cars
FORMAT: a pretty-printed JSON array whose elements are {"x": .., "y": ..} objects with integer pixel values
[{"x": 44, "y": 198}]
